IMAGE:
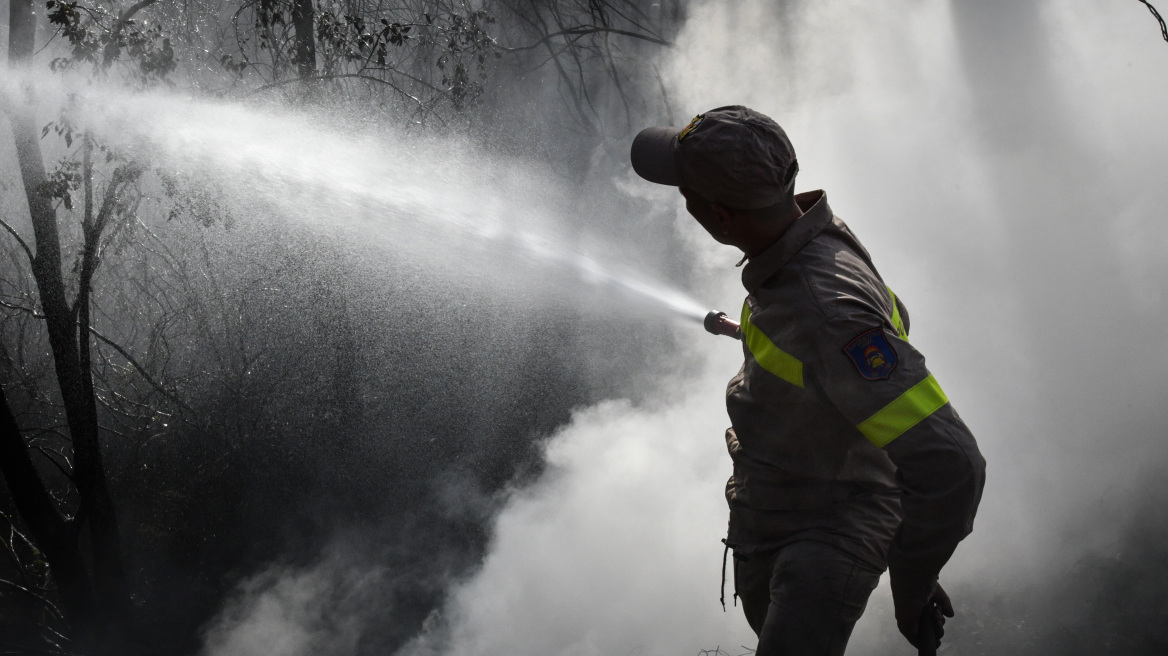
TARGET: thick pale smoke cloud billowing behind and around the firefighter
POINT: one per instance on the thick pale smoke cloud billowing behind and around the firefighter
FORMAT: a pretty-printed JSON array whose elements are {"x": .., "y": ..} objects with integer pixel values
[{"x": 1002, "y": 163}]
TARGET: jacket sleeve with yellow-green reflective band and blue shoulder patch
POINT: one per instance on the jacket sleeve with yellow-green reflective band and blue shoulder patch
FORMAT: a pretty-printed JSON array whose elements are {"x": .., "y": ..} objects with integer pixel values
[{"x": 881, "y": 385}]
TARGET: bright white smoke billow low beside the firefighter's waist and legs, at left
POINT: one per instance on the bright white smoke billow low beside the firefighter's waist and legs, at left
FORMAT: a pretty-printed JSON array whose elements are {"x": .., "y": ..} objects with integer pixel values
[{"x": 616, "y": 550}]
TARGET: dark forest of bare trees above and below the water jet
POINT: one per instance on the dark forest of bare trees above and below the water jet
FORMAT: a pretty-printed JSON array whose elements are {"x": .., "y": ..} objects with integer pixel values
[{"x": 190, "y": 395}]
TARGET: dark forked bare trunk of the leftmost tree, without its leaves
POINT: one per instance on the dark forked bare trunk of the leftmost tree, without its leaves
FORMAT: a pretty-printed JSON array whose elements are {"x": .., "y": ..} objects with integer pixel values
[{"x": 68, "y": 332}]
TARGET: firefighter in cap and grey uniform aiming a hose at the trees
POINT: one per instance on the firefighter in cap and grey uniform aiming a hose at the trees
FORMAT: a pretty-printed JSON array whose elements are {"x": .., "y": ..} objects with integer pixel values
[{"x": 849, "y": 458}]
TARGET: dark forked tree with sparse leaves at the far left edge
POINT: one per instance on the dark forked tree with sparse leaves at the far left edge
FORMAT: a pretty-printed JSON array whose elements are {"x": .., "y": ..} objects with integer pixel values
[{"x": 81, "y": 541}]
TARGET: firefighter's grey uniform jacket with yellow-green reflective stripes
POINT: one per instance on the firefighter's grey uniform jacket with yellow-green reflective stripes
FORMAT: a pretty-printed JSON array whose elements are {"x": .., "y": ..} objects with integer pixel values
[{"x": 839, "y": 429}]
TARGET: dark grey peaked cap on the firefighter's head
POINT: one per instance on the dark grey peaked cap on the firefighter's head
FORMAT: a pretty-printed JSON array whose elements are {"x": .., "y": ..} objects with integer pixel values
[{"x": 732, "y": 156}]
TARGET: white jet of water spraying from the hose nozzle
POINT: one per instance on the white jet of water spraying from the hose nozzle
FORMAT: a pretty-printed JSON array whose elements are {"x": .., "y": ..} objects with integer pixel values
[{"x": 416, "y": 197}]
